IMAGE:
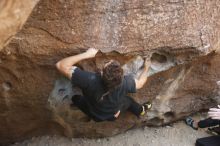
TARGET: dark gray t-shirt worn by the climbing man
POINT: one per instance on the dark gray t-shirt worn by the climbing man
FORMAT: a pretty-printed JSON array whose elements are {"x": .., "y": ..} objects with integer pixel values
[{"x": 102, "y": 107}]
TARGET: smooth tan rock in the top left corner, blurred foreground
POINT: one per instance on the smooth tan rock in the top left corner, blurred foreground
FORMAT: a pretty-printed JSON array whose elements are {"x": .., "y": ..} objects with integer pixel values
[{"x": 13, "y": 14}]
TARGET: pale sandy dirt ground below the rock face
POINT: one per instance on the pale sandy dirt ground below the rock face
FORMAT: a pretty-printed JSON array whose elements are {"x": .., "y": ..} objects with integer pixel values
[{"x": 177, "y": 134}]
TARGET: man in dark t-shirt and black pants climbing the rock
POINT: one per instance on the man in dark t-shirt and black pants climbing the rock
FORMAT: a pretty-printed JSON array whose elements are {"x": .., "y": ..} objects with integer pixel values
[{"x": 104, "y": 94}]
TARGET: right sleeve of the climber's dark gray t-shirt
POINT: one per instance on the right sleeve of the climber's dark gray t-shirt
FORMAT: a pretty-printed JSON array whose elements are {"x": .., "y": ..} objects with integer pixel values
[{"x": 130, "y": 84}]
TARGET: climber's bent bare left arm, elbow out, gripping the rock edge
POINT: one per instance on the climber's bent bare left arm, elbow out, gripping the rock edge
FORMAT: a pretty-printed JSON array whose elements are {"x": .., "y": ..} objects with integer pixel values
[{"x": 65, "y": 65}]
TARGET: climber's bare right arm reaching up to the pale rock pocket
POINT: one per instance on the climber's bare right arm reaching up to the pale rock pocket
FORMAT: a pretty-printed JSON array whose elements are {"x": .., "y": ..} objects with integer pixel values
[{"x": 143, "y": 77}]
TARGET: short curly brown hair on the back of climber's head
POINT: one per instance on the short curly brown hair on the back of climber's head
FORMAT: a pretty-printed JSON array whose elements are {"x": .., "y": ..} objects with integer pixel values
[{"x": 112, "y": 75}]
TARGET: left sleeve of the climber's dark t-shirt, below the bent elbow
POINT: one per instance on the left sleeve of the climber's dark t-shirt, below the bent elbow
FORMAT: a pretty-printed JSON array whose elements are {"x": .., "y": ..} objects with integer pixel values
[{"x": 80, "y": 78}]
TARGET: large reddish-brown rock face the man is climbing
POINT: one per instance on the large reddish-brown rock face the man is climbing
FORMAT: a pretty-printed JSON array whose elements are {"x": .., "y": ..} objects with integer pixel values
[{"x": 178, "y": 36}]
